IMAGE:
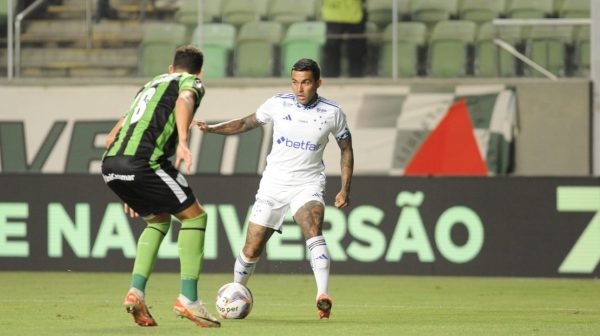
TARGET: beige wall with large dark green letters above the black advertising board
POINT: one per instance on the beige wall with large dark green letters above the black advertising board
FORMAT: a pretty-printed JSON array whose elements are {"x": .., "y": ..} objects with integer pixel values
[{"x": 61, "y": 128}]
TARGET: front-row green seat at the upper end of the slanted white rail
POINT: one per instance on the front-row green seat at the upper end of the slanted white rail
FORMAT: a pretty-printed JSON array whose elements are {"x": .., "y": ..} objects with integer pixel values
[{"x": 490, "y": 59}]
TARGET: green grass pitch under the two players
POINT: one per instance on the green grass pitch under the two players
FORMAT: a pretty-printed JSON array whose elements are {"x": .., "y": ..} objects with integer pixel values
[{"x": 90, "y": 304}]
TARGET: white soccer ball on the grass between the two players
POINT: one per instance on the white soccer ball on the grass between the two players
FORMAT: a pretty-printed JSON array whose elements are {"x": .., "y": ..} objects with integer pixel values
[{"x": 234, "y": 301}]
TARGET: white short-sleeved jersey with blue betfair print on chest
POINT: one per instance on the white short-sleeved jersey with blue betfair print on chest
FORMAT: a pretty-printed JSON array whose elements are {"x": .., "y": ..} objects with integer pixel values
[{"x": 300, "y": 134}]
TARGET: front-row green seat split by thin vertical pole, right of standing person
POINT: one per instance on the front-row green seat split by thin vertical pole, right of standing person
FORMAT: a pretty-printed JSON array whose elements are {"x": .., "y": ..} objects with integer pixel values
[{"x": 411, "y": 37}]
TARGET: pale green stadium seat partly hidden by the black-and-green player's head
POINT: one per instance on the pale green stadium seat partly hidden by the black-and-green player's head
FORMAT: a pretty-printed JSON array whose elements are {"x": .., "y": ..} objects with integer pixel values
[{"x": 158, "y": 45}]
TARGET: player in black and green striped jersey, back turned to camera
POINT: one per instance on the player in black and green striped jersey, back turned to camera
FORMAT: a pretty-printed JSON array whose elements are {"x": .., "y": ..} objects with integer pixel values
[{"x": 136, "y": 167}]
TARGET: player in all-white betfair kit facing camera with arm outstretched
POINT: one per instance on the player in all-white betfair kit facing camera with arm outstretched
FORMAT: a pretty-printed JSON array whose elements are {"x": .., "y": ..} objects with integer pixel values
[{"x": 294, "y": 176}]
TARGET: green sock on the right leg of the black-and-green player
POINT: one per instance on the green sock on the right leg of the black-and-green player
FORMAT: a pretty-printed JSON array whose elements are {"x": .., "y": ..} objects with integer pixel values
[{"x": 191, "y": 253}]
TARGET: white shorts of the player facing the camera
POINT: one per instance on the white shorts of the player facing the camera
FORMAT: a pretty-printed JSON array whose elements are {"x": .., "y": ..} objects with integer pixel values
[{"x": 273, "y": 201}]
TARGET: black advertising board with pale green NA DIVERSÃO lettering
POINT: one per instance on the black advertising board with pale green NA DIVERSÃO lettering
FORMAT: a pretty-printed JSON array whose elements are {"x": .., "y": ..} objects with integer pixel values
[{"x": 501, "y": 226}]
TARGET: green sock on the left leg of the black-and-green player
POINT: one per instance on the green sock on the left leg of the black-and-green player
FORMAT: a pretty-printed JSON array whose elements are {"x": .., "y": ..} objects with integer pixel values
[{"x": 147, "y": 250}]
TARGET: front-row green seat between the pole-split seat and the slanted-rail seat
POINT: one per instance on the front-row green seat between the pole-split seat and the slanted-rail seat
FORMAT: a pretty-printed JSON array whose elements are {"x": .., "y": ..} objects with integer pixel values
[{"x": 449, "y": 48}]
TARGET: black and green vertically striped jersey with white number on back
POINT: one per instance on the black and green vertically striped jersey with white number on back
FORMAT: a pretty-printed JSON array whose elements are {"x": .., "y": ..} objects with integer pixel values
[{"x": 149, "y": 130}]
